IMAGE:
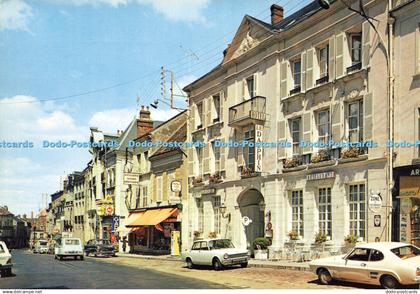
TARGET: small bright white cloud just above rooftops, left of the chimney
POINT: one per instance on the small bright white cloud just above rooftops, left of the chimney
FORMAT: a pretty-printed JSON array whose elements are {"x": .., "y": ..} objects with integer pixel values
[{"x": 112, "y": 120}]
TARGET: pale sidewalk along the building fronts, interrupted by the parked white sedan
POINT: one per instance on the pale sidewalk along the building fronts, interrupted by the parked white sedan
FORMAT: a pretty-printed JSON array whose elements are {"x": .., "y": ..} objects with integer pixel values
[{"x": 281, "y": 264}]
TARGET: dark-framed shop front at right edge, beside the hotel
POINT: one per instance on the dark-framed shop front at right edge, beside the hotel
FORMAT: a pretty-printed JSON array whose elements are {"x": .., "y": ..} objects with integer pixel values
[{"x": 407, "y": 204}]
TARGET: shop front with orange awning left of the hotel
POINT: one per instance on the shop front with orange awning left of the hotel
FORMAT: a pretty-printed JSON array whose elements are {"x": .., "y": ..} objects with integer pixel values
[{"x": 154, "y": 231}]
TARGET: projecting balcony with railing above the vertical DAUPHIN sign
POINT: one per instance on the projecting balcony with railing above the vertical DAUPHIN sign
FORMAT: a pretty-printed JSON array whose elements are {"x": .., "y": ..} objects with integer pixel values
[{"x": 247, "y": 112}]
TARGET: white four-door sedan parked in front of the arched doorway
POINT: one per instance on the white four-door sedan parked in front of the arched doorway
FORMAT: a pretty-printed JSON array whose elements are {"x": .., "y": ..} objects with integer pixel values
[{"x": 215, "y": 252}]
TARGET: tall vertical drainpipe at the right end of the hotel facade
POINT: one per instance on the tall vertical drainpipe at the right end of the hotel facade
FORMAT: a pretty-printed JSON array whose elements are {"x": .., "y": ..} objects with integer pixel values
[{"x": 391, "y": 21}]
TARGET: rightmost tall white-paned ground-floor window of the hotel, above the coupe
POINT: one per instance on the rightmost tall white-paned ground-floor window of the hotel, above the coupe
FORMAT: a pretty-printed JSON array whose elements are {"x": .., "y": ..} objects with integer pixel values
[{"x": 357, "y": 202}]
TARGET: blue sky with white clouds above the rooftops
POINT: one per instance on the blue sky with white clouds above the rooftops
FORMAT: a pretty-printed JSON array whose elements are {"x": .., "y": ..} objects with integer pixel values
[{"x": 67, "y": 65}]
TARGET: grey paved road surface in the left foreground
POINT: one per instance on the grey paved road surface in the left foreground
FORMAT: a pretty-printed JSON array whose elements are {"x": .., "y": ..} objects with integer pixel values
[{"x": 44, "y": 272}]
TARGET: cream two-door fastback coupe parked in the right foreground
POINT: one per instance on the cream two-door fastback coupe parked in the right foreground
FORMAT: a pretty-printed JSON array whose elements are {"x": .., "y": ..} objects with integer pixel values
[{"x": 389, "y": 264}]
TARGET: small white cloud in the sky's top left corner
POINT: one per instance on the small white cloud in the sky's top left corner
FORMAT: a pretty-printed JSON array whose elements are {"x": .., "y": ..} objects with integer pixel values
[{"x": 15, "y": 15}]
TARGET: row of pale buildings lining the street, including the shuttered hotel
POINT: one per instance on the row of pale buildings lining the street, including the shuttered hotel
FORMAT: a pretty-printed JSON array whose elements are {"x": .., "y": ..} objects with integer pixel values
[{"x": 330, "y": 74}]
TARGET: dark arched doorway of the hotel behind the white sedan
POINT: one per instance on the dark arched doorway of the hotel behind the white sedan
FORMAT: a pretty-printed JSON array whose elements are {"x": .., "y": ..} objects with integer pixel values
[{"x": 251, "y": 203}]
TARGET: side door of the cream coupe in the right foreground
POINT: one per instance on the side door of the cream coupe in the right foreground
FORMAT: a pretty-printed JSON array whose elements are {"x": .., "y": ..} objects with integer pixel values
[{"x": 356, "y": 266}]
